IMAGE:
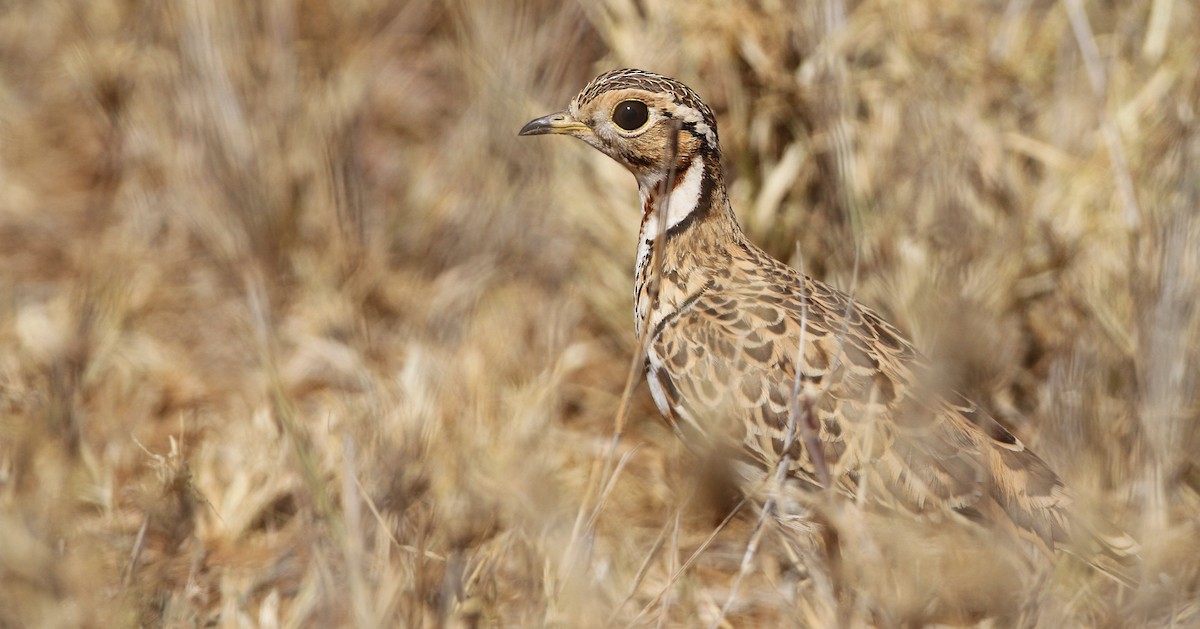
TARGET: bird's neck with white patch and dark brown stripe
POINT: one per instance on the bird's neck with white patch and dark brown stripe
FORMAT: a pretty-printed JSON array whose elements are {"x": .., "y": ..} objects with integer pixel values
[{"x": 685, "y": 219}]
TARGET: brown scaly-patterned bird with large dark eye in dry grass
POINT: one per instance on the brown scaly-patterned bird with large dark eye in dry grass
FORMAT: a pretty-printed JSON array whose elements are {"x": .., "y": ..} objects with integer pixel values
[{"x": 790, "y": 375}]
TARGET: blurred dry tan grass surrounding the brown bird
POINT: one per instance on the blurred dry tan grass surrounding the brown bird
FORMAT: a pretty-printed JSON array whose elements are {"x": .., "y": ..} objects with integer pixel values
[{"x": 296, "y": 332}]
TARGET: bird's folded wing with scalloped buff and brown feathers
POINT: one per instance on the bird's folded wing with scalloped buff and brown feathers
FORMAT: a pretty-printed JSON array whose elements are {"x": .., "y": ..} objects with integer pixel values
[{"x": 885, "y": 439}]
